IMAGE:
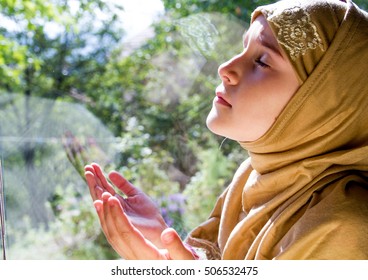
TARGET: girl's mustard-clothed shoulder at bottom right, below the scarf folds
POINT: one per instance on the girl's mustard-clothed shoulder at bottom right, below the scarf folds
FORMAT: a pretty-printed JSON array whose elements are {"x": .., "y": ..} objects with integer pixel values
[{"x": 334, "y": 225}]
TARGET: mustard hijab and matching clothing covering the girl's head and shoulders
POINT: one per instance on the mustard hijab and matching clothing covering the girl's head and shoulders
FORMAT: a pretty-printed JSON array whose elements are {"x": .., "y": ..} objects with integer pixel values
[{"x": 303, "y": 191}]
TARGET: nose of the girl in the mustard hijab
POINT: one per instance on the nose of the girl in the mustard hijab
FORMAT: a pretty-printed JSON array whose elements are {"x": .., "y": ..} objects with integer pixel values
[{"x": 230, "y": 72}]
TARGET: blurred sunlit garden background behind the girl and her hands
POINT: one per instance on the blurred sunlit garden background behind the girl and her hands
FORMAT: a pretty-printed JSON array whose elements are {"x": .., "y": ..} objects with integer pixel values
[{"x": 126, "y": 84}]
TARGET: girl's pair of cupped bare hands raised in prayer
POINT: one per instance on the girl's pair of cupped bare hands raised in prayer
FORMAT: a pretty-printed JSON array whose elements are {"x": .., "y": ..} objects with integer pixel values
[{"x": 131, "y": 222}]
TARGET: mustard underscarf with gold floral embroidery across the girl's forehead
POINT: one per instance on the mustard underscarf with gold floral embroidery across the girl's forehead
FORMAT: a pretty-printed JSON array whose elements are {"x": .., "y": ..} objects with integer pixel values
[{"x": 304, "y": 29}]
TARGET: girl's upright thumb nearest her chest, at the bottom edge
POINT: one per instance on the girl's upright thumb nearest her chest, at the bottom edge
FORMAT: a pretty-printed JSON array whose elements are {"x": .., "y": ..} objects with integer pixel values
[{"x": 175, "y": 247}]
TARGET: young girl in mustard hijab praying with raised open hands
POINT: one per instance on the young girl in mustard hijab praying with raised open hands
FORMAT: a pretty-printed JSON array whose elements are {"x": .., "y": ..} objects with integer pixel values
[{"x": 296, "y": 99}]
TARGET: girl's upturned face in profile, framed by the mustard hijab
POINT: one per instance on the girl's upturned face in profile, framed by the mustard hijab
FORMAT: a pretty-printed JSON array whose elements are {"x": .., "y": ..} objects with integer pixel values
[{"x": 256, "y": 86}]
